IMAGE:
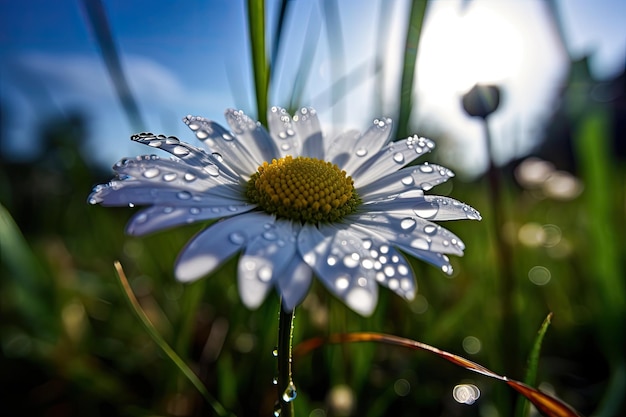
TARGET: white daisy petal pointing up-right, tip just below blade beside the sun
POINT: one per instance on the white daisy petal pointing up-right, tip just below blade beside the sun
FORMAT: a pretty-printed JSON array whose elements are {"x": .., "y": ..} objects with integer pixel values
[{"x": 367, "y": 144}]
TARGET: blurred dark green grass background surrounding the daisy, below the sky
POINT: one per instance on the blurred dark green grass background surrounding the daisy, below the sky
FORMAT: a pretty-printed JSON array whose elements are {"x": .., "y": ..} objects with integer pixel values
[{"x": 70, "y": 346}]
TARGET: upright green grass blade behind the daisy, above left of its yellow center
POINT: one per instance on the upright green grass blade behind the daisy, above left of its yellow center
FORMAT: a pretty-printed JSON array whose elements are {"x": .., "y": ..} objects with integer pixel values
[{"x": 256, "y": 31}]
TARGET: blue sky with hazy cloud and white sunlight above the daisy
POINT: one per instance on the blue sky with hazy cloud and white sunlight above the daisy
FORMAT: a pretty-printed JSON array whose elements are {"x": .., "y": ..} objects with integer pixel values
[{"x": 192, "y": 57}]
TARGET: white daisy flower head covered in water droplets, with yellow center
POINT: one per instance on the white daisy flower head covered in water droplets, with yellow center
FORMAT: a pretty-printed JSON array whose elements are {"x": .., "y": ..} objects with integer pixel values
[{"x": 294, "y": 203}]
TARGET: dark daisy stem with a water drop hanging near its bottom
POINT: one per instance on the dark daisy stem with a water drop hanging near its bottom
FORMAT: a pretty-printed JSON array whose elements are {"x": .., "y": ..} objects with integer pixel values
[{"x": 286, "y": 388}]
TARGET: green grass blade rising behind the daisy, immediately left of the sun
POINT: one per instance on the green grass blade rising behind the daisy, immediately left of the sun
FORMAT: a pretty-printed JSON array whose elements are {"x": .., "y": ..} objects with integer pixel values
[{"x": 414, "y": 30}]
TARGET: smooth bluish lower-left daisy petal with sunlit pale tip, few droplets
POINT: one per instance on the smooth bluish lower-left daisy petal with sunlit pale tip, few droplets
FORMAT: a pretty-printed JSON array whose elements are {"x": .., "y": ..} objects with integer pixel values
[{"x": 209, "y": 248}]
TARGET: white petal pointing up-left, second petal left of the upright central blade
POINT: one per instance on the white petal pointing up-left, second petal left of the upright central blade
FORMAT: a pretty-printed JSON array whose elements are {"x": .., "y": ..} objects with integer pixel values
[{"x": 227, "y": 149}]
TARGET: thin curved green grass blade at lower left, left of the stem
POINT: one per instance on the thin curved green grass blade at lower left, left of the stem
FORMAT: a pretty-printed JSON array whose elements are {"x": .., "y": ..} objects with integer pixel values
[{"x": 162, "y": 344}]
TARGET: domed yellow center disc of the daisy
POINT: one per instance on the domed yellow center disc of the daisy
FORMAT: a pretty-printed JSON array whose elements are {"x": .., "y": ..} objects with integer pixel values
[{"x": 303, "y": 189}]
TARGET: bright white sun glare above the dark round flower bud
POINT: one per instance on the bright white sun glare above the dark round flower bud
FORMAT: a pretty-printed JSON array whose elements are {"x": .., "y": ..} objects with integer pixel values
[{"x": 462, "y": 48}]
